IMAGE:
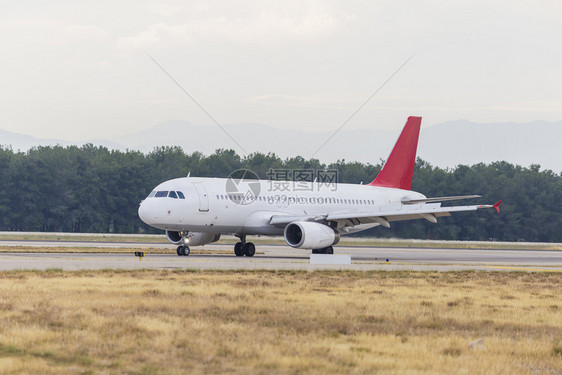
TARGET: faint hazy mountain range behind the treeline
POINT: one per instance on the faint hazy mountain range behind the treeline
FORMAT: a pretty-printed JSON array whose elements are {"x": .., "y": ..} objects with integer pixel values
[{"x": 444, "y": 145}]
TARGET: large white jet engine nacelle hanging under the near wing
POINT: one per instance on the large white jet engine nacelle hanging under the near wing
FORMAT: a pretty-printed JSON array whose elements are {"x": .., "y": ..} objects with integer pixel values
[{"x": 310, "y": 235}]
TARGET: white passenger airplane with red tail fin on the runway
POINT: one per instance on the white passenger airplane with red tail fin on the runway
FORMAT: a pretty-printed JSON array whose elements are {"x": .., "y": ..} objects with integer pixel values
[{"x": 309, "y": 215}]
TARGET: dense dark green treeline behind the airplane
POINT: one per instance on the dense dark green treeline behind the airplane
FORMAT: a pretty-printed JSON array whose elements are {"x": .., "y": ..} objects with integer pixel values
[{"x": 93, "y": 189}]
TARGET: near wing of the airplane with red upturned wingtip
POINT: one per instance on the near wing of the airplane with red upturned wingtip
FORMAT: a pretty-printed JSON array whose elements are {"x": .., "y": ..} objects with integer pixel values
[{"x": 426, "y": 211}]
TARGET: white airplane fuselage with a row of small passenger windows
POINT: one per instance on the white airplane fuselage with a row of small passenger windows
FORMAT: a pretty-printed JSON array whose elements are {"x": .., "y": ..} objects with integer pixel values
[{"x": 218, "y": 205}]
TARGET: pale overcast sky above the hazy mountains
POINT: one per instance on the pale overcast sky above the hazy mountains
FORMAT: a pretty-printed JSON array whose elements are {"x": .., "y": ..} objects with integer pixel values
[{"x": 78, "y": 70}]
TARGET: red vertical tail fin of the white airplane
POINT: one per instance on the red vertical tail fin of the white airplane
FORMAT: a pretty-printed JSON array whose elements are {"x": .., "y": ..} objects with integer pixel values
[{"x": 399, "y": 168}]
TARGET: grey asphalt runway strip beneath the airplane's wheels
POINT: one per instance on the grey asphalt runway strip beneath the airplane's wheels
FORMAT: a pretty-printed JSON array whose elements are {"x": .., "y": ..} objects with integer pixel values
[{"x": 274, "y": 257}]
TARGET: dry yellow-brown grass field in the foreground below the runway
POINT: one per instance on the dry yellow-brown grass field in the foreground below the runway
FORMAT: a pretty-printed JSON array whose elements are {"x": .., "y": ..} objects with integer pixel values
[{"x": 287, "y": 322}]
